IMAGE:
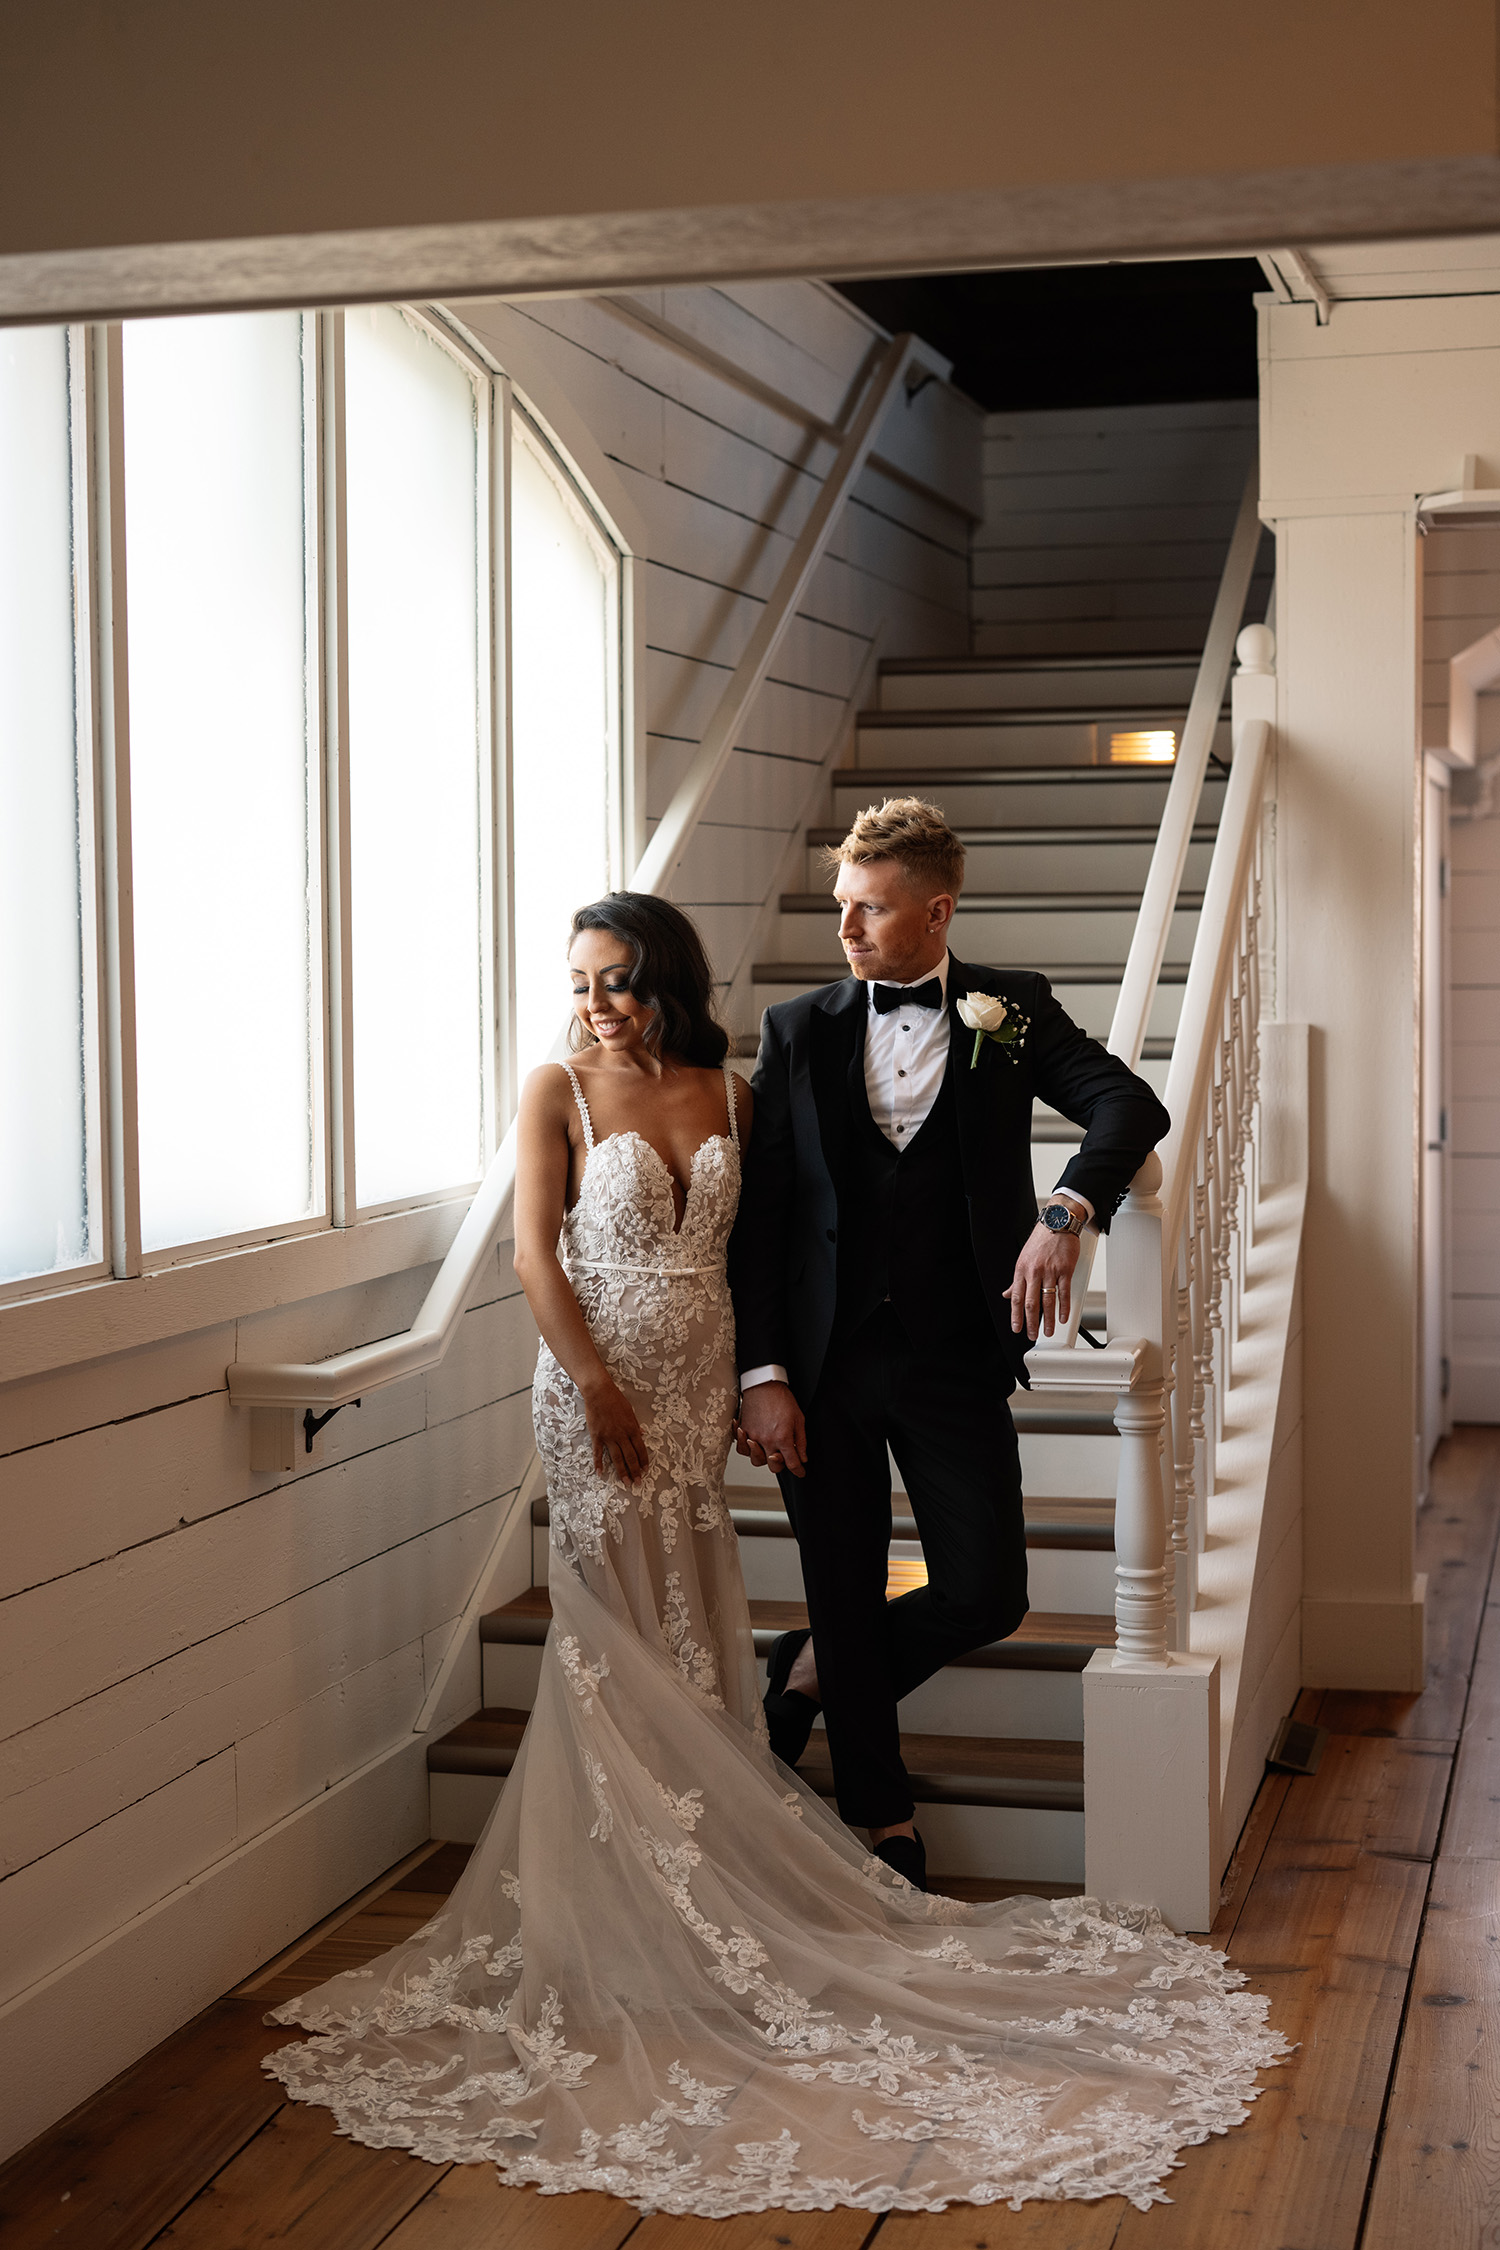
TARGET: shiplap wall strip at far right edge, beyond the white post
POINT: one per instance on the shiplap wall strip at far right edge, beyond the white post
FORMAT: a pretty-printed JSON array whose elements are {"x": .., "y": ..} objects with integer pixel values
[{"x": 1461, "y": 604}]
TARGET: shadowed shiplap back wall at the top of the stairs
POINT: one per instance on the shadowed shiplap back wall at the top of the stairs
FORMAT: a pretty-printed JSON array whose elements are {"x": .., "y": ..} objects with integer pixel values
[{"x": 1105, "y": 528}]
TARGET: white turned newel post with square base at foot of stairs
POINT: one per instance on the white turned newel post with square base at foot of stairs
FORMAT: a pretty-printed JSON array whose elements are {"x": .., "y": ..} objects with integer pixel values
[{"x": 1150, "y": 1711}]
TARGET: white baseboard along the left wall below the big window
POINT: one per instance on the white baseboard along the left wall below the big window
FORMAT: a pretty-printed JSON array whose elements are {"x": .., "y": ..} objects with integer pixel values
[{"x": 78, "y": 2028}]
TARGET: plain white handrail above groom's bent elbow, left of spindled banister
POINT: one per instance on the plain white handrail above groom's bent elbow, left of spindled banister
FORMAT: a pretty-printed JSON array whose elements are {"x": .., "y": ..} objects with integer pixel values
[{"x": 1164, "y": 881}]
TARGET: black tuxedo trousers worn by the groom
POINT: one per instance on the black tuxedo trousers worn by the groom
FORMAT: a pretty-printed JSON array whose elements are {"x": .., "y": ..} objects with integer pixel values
[{"x": 941, "y": 1410}]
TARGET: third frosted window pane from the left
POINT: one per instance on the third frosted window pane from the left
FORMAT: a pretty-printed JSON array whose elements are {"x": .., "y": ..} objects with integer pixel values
[{"x": 415, "y": 726}]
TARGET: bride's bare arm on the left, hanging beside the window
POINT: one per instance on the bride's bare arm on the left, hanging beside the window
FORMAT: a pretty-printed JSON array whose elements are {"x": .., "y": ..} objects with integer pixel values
[{"x": 541, "y": 1196}]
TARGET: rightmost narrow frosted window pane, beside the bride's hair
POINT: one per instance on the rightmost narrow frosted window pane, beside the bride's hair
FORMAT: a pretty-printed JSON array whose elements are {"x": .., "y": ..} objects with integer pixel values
[{"x": 563, "y": 717}]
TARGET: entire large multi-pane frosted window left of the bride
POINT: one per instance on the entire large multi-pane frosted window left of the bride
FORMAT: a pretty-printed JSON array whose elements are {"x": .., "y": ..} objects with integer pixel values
[{"x": 298, "y": 782}]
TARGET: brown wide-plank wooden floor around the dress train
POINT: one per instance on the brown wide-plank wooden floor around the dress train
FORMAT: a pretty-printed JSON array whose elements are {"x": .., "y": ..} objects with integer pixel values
[{"x": 1366, "y": 1900}]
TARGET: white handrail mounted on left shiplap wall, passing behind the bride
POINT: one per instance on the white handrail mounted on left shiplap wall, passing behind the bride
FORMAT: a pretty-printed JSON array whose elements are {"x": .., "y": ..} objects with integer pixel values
[{"x": 390, "y": 1360}]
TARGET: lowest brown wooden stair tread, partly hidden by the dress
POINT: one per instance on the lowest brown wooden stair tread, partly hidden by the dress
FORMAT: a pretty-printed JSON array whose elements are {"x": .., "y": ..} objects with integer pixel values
[{"x": 946, "y": 1770}]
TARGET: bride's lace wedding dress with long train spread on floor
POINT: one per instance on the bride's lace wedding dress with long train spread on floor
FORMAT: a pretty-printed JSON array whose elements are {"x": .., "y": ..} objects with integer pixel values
[{"x": 669, "y": 1972}]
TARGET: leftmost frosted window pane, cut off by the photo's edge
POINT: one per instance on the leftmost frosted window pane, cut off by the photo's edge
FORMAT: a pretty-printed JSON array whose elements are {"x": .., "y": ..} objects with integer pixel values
[{"x": 48, "y": 1216}]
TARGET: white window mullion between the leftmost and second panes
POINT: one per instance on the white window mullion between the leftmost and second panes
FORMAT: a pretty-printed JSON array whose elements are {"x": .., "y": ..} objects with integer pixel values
[{"x": 114, "y": 737}]
